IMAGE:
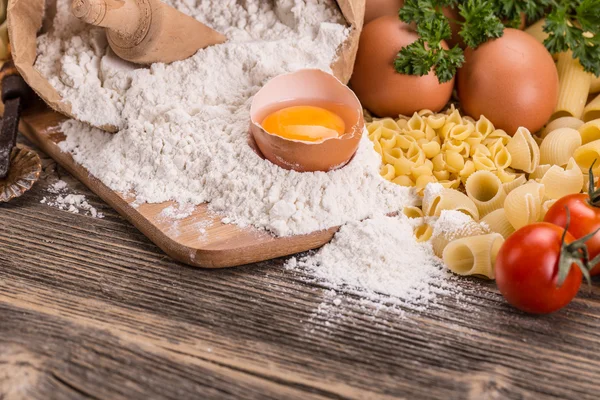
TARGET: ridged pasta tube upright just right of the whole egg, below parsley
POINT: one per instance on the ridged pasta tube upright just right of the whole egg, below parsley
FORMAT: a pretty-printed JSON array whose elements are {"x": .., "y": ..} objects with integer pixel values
[{"x": 574, "y": 86}]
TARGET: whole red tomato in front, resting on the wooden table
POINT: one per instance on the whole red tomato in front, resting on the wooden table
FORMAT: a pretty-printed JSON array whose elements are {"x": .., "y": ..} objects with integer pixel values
[{"x": 527, "y": 269}]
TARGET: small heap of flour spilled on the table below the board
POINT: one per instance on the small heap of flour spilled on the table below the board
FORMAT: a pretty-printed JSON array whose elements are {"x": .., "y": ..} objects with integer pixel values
[{"x": 379, "y": 259}]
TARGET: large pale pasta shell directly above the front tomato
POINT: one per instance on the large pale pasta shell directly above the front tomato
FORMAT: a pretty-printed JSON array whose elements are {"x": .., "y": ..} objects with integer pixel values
[{"x": 523, "y": 205}]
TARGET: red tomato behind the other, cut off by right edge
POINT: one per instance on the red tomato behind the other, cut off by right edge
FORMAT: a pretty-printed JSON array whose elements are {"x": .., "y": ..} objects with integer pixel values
[{"x": 585, "y": 219}]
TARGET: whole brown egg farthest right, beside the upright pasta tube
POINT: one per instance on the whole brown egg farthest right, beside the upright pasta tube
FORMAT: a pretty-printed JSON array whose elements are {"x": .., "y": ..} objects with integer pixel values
[{"x": 511, "y": 80}]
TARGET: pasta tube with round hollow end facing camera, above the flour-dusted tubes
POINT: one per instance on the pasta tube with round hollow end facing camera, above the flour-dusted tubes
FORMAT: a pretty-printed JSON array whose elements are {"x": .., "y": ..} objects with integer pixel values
[{"x": 486, "y": 191}]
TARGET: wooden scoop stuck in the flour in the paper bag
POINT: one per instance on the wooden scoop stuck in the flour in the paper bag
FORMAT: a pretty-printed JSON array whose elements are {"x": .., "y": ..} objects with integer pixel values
[{"x": 147, "y": 31}]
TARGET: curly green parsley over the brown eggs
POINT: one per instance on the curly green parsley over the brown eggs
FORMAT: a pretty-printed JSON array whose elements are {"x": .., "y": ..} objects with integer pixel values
[{"x": 571, "y": 24}]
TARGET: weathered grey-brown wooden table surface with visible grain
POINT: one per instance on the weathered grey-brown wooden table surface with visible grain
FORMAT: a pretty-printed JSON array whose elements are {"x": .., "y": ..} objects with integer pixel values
[{"x": 90, "y": 309}]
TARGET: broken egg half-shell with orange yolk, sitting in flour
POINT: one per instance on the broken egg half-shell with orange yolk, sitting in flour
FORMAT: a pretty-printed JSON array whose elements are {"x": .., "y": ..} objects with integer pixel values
[{"x": 306, "y": 121}]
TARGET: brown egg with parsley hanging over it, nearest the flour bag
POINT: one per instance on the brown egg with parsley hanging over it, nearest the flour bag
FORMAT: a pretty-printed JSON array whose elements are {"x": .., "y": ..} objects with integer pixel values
[{"x": 381, "y": 89}]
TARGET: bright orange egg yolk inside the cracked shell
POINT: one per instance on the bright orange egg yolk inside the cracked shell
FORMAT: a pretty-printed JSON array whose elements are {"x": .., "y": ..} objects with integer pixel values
[{"x": 306, "y": 123}]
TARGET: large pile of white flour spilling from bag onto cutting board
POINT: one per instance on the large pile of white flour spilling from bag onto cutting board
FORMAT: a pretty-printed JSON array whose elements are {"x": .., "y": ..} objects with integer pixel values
[{"x": 184, "y": 127}]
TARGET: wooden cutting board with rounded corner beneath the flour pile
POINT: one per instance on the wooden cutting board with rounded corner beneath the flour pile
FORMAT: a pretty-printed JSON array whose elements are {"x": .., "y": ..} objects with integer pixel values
[{"x": 218, "y": 246}]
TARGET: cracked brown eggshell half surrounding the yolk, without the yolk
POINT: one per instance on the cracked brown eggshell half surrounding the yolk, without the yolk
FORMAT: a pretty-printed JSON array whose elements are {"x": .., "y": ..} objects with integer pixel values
[{"x": 312, "y": 86}]
